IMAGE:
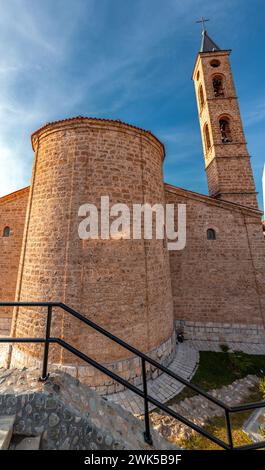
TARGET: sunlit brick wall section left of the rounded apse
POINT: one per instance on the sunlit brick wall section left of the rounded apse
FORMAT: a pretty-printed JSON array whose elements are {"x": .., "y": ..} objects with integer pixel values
[{"x": 12, "y": 214}]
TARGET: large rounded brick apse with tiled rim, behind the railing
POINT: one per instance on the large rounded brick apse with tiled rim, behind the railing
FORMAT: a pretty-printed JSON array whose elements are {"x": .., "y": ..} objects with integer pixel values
[{"x": 123, "y": 285}]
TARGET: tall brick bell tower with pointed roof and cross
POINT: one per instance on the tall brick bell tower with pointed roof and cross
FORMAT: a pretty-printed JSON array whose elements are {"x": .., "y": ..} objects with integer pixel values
[{"x": 227, "y": 160}]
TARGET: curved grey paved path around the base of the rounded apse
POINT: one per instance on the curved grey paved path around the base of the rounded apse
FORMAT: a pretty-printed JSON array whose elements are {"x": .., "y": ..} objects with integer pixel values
[{"x": 163, "y": 388}]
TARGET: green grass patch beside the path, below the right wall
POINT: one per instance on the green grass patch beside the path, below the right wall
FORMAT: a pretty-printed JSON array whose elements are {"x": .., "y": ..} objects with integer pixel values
[{"x": 217, "y": 369}]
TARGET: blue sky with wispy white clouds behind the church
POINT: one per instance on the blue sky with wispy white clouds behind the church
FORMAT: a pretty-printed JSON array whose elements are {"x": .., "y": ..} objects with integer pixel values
[{"x": 128, "y": 60}]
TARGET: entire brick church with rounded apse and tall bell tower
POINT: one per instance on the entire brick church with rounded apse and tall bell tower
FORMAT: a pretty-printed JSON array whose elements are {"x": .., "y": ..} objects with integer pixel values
[{"x": 212, "y": 290}]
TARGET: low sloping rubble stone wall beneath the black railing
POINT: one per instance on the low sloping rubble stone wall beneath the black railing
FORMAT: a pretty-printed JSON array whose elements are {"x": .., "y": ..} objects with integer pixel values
[{"x": 69, "y": 415}]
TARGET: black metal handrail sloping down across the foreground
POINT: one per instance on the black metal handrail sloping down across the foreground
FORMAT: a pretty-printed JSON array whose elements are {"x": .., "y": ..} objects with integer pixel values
[{"x": 228, "y": 410}]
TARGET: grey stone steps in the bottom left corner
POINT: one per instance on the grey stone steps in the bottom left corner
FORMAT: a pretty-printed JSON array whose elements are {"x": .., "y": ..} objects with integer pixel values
[{"x": 9, "y": 441}]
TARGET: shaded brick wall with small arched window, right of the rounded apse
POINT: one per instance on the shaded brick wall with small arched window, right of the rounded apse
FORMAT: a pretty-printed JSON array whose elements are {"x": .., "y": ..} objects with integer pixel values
[{"x": 219, "y": 285}]
